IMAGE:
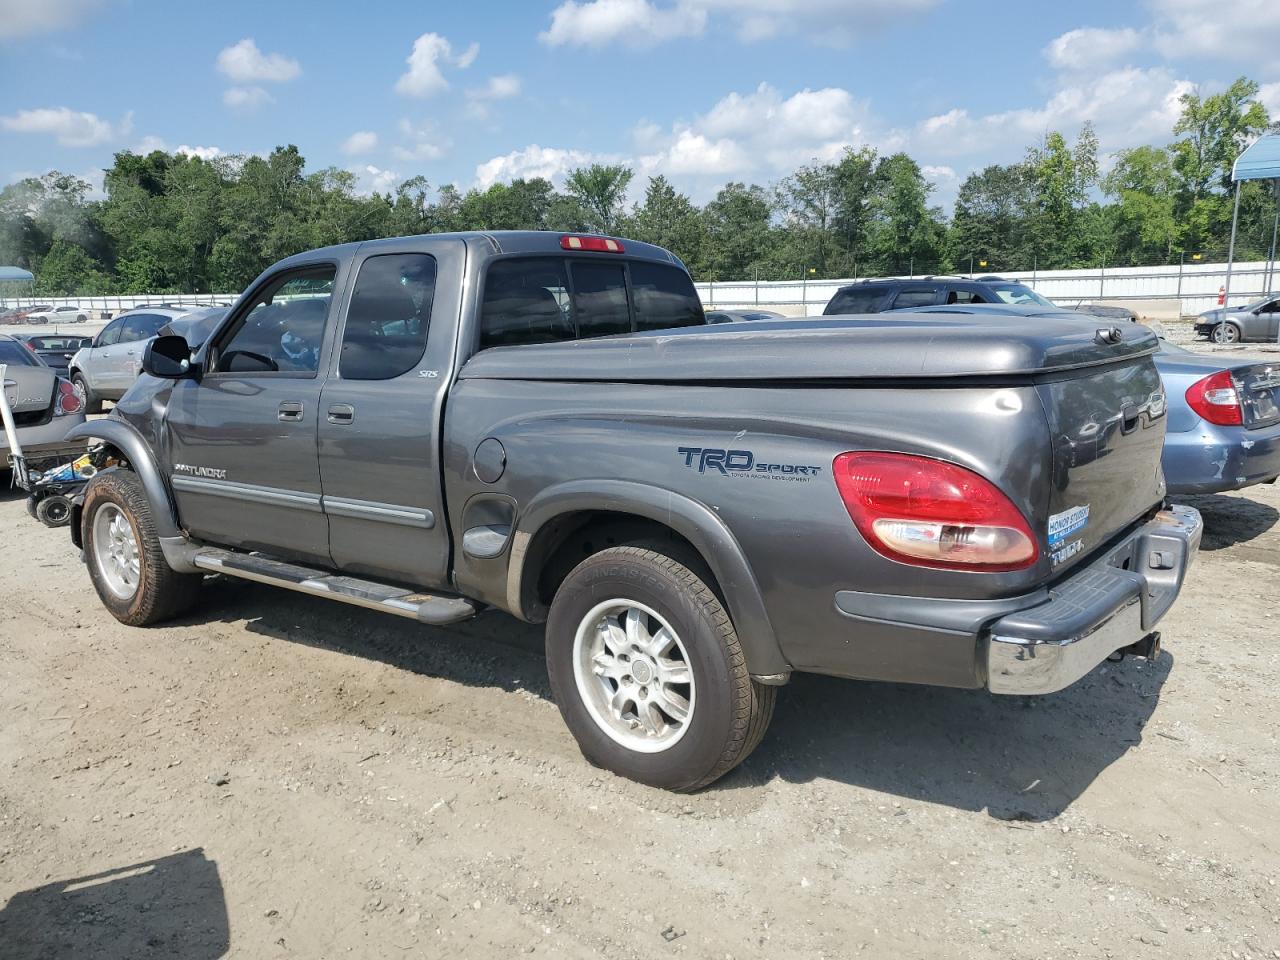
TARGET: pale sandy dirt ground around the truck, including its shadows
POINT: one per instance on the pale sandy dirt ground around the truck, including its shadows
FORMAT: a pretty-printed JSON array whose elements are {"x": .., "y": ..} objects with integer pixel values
[{"x": 280, "y": 776}]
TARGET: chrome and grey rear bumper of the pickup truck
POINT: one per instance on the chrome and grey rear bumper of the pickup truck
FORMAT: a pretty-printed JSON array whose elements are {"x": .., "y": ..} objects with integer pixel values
[{"x": 1110, "y": 605}]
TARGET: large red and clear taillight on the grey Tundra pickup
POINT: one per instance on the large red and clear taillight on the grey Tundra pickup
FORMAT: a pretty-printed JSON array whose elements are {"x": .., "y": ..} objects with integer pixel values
[{"x": 932, "y": 514}]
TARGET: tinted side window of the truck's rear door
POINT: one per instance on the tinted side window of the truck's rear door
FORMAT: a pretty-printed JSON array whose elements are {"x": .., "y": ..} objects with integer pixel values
[{"x": 388, "y": 318}]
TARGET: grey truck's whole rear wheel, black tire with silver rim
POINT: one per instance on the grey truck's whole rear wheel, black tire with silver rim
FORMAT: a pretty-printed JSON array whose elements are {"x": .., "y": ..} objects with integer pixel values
[{"x": 650, "y": 674}]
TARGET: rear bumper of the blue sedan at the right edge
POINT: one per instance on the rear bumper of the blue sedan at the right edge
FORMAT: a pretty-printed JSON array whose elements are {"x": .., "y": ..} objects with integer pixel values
[{"x": 1217, "y": 459}]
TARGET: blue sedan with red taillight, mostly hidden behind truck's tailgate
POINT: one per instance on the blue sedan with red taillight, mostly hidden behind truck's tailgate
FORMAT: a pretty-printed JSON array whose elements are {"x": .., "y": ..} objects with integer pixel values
[{"x": 1224, "y": 418}]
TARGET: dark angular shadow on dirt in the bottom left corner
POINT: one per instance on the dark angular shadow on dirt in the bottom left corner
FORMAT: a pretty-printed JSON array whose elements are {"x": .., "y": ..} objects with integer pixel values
[{"x": 167, "y": 908}]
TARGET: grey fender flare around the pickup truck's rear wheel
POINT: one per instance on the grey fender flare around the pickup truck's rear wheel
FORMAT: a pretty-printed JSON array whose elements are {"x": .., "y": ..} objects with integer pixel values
[{"x": 633, "y": 510}]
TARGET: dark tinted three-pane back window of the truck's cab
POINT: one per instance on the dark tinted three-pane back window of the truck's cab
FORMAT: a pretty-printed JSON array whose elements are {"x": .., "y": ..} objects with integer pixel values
[{"x": 548, "y": 299}]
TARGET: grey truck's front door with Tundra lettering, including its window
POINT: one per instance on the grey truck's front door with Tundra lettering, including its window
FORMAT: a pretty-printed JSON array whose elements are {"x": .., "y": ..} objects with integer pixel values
[{"x": 243, "y": 438}]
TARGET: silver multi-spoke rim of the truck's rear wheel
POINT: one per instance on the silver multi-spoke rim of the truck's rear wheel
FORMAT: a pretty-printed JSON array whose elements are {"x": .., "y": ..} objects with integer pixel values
[{"x": 634, "y": 676}]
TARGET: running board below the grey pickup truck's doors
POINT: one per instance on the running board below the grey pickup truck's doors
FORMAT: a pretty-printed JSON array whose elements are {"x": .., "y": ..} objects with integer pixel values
[{"x": 426, "y": 609}]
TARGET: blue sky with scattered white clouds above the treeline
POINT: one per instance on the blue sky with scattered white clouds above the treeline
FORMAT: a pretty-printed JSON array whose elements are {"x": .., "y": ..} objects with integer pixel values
[{"x": 703, "y": 92}]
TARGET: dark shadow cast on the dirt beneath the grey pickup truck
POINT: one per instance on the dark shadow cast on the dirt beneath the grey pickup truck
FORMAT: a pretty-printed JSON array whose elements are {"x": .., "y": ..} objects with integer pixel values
[{"x": 1018, "y": 758}]
